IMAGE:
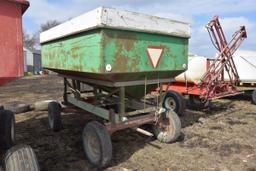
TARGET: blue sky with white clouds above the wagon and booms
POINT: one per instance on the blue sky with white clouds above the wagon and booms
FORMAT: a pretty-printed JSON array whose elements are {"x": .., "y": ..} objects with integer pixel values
[{"x": 232, "y": 13}]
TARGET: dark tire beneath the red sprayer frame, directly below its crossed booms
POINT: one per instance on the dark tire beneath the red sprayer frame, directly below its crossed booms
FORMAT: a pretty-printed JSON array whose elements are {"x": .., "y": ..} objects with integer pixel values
[{"x": 196, "y": 103}]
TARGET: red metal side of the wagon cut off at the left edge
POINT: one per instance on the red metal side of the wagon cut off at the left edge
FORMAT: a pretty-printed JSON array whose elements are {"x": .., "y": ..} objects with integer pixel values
[{"x": 11, "y": 50}]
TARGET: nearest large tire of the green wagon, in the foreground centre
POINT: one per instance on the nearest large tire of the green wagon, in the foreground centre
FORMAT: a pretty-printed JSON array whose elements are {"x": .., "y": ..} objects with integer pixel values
[{"x": 97, "y": 144}]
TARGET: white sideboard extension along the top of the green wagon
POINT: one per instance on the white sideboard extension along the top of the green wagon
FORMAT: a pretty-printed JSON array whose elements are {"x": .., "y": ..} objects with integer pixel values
[{"x": 104, "y": 17}]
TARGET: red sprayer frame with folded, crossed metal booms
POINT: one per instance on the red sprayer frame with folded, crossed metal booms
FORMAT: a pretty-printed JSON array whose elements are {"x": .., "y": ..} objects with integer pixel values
[{"x": 212, "y": 84}]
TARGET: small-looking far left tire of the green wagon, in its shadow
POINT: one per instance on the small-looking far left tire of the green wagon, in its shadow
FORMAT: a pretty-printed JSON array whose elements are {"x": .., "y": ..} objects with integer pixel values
[{"x": 54, "y": 116}]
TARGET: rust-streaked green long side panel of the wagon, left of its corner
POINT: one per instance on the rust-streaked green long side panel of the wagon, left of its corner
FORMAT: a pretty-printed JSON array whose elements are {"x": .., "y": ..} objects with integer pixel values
[{"x": 80, "y": 53}]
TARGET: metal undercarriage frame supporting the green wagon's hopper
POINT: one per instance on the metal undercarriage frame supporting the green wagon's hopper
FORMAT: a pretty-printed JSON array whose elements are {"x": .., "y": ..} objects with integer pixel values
[{"x": 102, "y": 102}]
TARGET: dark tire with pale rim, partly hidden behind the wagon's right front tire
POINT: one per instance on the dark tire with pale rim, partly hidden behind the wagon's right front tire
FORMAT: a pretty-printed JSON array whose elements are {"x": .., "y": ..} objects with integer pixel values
[{"x": 175, "y": 101}]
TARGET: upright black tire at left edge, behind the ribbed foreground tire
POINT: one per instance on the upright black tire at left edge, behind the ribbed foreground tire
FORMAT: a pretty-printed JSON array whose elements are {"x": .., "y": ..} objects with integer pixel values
[{"x": 7, "y": 129}]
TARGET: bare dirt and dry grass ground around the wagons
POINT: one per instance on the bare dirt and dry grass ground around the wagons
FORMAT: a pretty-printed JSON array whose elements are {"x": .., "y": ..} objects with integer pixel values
[{"x": 221, "y": 137}]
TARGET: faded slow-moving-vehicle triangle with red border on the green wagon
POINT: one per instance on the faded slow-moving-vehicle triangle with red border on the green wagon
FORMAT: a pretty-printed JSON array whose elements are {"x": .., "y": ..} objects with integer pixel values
[{"x": 154, "y": 55}]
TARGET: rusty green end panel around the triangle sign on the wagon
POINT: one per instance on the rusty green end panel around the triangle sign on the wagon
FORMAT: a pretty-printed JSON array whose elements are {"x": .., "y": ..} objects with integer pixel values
[{"x": 126, "y": 51}]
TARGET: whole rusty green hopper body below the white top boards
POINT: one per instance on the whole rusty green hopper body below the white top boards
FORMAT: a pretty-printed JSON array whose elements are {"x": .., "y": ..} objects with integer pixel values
[{"x": 89, "y": 52}]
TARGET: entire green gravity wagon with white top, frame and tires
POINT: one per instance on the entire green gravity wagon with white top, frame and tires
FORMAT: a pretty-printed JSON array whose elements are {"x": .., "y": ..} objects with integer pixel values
[{"x": 122, "y": 56}]
